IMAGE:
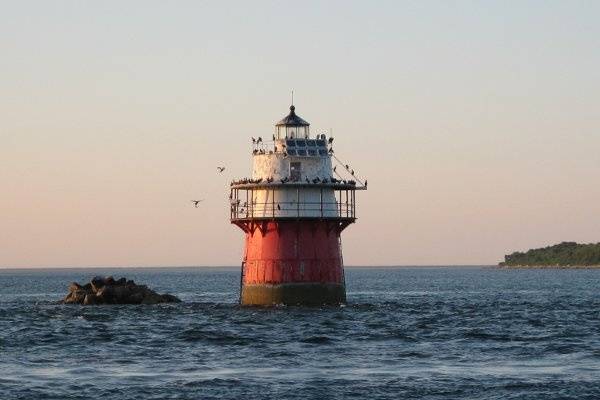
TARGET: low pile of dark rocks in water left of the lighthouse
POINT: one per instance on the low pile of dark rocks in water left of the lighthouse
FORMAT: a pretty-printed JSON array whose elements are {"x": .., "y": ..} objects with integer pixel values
[{"x": 110, "y": 291}]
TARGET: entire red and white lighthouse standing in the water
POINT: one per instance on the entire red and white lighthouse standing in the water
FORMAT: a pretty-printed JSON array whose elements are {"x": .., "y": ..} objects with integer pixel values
[{"x": 292, "y": 211}]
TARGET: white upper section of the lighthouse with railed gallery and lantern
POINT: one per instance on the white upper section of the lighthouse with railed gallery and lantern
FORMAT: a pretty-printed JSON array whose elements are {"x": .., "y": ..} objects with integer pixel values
[{"x": 293, "y": 177}]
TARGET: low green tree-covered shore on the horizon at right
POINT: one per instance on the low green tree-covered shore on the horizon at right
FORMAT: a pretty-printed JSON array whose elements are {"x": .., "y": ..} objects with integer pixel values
[{"x": 565, "y": 254}]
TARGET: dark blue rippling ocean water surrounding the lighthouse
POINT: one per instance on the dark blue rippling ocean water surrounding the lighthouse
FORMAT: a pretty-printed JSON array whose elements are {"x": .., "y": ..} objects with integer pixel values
[{"x": 406, "y": 333}]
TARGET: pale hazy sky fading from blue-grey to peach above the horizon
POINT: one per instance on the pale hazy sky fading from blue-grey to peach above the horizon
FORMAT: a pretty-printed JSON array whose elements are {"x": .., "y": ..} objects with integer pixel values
[{"x": 477, "y": 124}]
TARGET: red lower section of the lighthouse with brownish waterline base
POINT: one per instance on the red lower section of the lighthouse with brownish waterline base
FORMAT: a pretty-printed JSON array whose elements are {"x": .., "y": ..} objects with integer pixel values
[{"x": 293, "y": 262}]
